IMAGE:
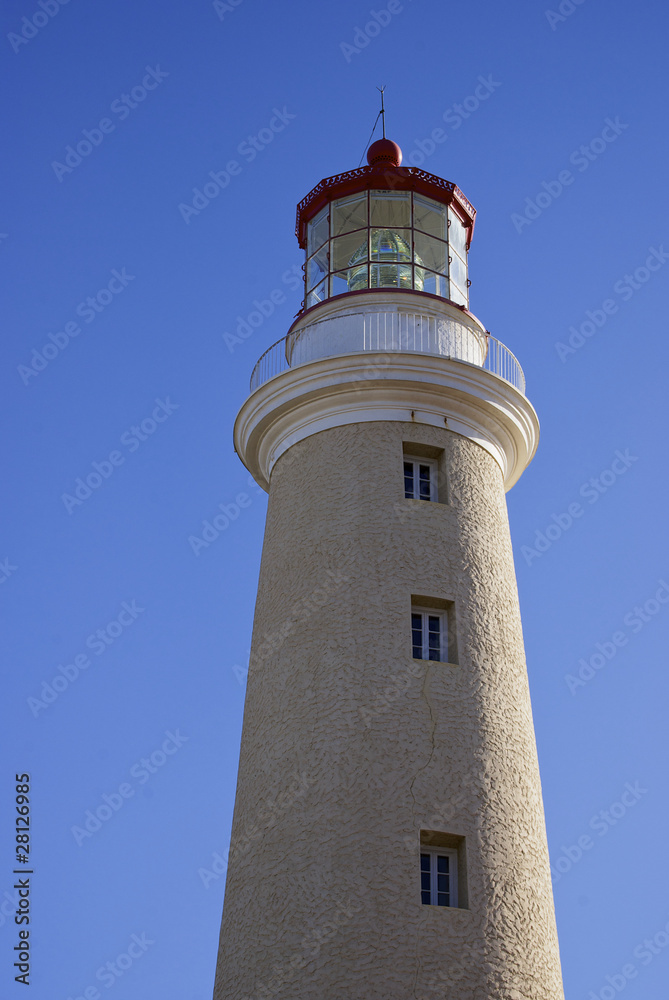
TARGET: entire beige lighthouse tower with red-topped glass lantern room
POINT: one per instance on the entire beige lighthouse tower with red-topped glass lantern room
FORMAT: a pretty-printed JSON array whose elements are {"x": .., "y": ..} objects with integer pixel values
[{"x": 388, "y": 839}]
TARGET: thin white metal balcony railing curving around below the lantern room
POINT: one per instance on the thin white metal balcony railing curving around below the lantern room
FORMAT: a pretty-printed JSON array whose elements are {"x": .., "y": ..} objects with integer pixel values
[{"x": 388, "y": 332}]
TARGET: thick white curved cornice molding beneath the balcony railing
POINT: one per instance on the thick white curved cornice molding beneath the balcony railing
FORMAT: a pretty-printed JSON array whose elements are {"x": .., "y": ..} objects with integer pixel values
[{"x": 365, "y": 386}]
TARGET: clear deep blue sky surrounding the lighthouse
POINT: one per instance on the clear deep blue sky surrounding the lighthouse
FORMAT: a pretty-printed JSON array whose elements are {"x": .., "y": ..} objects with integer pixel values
[{"x": 149, "y": 353}]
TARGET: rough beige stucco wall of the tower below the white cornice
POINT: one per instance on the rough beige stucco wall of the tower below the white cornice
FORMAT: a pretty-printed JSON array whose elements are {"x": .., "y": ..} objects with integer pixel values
[{"x": 350, "y": 746}]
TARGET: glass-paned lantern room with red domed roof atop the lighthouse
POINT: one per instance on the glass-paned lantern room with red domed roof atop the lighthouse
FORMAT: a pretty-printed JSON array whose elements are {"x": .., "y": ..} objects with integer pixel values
[{"x": 385, "y": 226}]
